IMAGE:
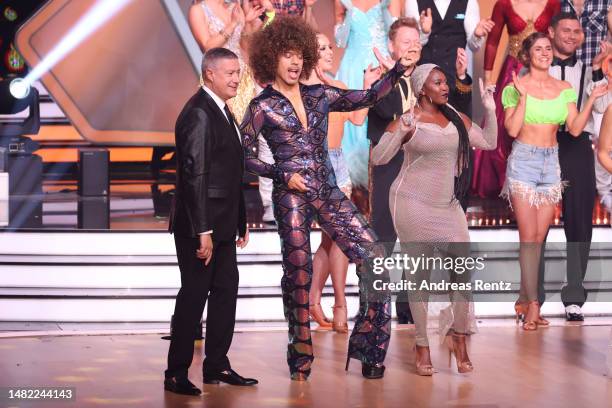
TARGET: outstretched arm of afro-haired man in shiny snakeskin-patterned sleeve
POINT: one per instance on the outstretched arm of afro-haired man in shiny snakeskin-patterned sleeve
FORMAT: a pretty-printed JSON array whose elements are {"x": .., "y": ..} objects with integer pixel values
[{"x": 343, "y": 100}]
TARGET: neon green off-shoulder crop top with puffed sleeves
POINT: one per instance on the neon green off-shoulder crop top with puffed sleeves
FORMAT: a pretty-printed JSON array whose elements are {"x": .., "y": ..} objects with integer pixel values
[{"x": 541, "y": 111}]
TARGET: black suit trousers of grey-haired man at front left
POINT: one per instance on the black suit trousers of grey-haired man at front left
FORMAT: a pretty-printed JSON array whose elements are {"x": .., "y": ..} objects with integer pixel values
[{"x": 217, "y": 282}]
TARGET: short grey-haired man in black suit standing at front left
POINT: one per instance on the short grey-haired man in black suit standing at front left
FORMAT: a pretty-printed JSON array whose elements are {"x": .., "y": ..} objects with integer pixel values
[{"x": 208, "y": 213}]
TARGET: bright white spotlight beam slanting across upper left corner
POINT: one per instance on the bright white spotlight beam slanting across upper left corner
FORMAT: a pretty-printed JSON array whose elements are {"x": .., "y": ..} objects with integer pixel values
[{"x": 93, "y": 19}]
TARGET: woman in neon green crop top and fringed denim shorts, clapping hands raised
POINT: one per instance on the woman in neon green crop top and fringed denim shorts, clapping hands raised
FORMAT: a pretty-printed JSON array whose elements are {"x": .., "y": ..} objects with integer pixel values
[{"x": 536, "y": 105}]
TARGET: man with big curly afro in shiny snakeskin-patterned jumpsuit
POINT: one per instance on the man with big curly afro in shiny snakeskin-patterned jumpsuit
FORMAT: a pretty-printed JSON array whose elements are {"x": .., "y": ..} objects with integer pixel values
[{"x": 293, "y": 119}]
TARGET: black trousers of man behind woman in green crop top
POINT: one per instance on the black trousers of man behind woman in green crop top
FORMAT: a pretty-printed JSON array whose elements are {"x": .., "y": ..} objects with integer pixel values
[{"x": 578, "y": 169}]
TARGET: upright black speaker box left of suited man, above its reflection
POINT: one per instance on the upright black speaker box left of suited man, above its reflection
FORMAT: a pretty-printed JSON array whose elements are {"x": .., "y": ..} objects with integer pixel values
[{"x": 93, "y": 172}]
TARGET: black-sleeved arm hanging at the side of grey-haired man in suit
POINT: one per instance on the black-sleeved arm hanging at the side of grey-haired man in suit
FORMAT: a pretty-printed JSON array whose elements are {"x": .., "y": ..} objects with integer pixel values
[{"x": 192, "y": 146}]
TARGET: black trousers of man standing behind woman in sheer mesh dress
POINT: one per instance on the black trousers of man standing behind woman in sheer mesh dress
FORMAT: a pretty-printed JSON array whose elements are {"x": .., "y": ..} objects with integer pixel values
[{"x": 382, "y": 222}]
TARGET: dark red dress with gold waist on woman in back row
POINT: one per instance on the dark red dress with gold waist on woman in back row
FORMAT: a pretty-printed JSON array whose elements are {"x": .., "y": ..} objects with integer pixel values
[{"x": 490, "y": 166}]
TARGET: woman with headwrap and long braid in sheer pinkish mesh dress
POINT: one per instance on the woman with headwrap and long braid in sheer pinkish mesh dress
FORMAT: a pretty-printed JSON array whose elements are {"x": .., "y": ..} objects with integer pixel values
[{"x": 424, "y": 199}]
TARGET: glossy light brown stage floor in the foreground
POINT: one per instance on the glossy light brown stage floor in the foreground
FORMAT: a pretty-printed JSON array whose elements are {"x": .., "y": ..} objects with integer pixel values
[{"x": 560, "y": 366}]
